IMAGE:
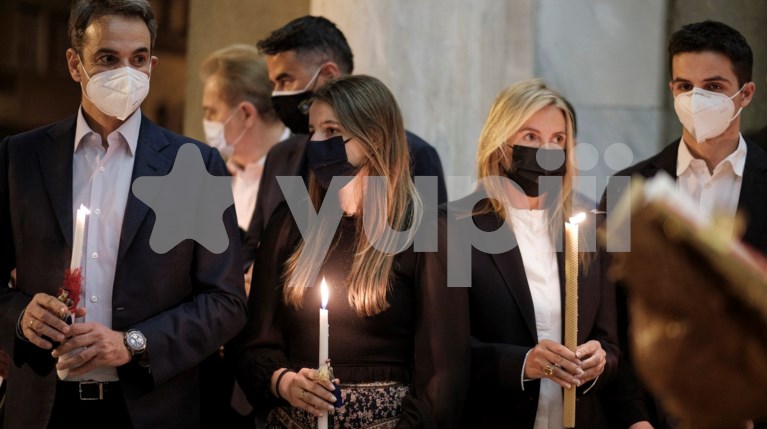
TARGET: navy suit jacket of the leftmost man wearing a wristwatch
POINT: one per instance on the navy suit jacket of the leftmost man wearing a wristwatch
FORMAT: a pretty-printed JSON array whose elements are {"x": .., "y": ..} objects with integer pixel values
[{"x": 186, "y": 302}]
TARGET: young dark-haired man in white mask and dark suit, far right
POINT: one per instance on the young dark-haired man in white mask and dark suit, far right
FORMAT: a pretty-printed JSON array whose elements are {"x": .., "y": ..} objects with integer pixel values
[{"x": 711, "y": 81}]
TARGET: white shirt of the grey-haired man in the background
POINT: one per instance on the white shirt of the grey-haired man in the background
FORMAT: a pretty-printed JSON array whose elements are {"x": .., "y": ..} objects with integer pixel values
[{"x": 245, "y": 184}]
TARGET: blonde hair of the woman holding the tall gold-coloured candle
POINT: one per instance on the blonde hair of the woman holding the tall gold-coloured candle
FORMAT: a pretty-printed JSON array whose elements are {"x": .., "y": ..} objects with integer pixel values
[{"x": 513, "y": 107}]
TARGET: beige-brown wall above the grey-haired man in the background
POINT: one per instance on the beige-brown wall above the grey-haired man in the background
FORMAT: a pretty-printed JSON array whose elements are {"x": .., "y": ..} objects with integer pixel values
[{"x": 215, "y": 24}]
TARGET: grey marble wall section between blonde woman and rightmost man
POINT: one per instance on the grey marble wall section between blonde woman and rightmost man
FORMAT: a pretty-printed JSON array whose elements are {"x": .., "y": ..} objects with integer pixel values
[{"x": 608, "y": 59}]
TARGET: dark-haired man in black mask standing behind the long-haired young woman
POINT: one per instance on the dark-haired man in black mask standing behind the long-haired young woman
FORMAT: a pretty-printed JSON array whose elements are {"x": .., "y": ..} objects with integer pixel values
[{"x": 301, "y": 56}]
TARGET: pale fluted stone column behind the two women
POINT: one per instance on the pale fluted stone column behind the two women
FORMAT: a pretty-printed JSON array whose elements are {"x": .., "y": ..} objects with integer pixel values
[{"x": 444, "y": 60}]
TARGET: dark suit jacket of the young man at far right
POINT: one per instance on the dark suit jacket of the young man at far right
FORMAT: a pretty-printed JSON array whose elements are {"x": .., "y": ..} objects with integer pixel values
[{"x": 626, "y": 399}]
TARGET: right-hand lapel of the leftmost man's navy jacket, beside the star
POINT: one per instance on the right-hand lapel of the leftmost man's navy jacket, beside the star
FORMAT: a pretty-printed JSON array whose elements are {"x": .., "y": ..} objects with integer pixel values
[{"x": 153, "y": 158}]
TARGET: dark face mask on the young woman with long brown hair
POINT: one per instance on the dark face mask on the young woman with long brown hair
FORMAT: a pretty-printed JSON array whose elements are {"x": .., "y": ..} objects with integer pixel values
[{"x": 327, "y": 158}]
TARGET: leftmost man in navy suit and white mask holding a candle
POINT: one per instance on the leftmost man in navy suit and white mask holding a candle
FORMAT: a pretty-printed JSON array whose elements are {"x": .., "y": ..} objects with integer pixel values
[{"x": 151, "y": 318}]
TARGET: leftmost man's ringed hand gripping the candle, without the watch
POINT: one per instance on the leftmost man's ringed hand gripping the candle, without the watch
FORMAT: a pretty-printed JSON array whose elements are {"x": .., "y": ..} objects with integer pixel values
[{"x": 42, "y": 317}]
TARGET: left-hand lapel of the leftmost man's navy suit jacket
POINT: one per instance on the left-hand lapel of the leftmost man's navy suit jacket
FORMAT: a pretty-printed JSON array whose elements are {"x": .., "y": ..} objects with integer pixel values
[{"x": 55, "y": 157}]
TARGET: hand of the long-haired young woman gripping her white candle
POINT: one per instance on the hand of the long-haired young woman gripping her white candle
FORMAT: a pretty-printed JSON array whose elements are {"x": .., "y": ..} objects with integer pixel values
[{"x": 303, "y": 390}]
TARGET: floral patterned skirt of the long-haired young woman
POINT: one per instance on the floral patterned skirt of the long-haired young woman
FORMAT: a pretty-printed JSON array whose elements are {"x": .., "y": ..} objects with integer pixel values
[{"x": 366, "y": 405}]
